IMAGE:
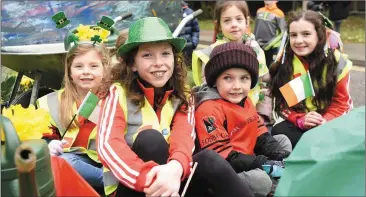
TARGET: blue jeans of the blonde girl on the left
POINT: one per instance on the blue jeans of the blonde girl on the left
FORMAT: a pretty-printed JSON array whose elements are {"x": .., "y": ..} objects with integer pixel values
[{"x": 90, "y": 170}]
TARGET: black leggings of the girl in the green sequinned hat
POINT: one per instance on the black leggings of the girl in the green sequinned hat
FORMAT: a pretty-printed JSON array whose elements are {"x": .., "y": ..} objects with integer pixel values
[{"x": 213, "y": 172}]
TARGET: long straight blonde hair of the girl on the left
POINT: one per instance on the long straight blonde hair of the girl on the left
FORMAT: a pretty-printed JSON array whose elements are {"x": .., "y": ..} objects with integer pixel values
[{"x": 69, "y": 96}]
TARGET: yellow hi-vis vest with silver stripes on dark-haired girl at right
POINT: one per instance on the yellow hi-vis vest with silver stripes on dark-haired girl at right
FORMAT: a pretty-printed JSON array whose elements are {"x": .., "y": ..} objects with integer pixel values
[{"x": 343, "y": 67}]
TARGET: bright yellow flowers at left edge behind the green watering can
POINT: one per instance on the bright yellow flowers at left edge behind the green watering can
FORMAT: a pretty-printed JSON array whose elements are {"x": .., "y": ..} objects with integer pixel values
[{"x": 29, "y": 123}]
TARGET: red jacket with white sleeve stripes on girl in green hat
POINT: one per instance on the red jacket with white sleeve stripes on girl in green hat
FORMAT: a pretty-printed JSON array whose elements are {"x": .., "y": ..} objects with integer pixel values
[{"x": 116, "y": 155}]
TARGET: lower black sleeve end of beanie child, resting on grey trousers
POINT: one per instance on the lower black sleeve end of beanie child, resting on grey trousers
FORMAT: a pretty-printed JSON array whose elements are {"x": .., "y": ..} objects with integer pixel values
[{"x": 241, "y": 162}]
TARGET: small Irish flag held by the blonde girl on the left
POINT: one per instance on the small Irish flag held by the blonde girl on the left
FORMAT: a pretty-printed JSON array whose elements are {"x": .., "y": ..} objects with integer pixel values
[{"x": 89, "y": 108}]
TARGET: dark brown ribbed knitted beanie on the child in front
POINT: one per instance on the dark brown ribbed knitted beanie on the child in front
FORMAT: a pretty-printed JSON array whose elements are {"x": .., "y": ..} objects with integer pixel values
[{"x": 231, "y": 55}]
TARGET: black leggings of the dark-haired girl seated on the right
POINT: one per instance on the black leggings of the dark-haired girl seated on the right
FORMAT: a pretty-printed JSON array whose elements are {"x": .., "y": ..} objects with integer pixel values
[{"x": 293, "y": 132}]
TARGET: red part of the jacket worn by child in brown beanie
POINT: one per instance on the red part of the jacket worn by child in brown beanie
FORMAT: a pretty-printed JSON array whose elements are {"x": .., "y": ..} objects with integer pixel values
[{"x": 223, "y": 126}]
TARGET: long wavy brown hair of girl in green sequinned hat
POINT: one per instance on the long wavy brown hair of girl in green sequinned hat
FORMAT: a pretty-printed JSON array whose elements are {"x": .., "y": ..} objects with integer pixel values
[{"x": 128, "y": 79}]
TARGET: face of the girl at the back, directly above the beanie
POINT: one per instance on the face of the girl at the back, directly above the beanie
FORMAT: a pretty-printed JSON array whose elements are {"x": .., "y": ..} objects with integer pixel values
[{"x": 233, "y": 23}]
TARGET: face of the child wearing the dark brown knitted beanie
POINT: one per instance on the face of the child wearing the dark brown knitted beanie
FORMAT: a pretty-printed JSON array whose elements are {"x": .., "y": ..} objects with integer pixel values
[{"x": 234, "y": 84}]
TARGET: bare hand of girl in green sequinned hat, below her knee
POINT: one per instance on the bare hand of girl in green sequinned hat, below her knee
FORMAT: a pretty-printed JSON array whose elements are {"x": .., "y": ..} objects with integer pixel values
[{"x": 167, "y": 182}]
